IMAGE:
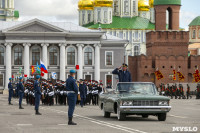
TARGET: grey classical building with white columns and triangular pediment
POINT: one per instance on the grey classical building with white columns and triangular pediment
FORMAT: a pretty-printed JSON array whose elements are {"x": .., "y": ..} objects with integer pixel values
[{"x": 61, "y": 46}]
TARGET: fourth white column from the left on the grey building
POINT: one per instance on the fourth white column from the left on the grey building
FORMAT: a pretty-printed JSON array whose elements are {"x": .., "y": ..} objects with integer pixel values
[{"x": 62, "y": 61}]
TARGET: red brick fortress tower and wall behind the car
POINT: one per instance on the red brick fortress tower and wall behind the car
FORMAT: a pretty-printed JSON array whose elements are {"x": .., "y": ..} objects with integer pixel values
[{"x": 167, "y": 50}]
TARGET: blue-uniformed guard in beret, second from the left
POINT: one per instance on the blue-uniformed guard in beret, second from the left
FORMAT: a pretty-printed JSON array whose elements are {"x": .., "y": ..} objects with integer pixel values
[{"x": 21, "y": 92}]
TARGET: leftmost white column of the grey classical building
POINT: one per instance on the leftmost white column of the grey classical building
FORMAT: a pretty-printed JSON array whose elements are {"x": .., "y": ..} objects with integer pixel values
[{"x": 8, "y": 63}]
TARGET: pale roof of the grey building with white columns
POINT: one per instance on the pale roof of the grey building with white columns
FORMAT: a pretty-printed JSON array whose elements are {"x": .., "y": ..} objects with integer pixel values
[{"x": 65, "y": 27}]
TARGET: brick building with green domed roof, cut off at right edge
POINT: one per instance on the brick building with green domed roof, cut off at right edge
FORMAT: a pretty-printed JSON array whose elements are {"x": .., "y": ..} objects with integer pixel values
[{"x": 194, "y": 29}]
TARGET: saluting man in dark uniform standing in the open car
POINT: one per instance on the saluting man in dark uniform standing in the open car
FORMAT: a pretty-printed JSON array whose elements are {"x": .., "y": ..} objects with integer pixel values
[{"x": 123, "y": 74}]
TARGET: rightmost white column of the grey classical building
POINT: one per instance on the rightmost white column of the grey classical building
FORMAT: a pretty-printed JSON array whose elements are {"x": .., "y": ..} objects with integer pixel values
[{"x": 97, "y": 62}]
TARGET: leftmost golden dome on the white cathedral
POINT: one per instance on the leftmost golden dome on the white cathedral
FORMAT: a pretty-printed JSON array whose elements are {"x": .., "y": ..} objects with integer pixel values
[{"x": 86, "y": 5}]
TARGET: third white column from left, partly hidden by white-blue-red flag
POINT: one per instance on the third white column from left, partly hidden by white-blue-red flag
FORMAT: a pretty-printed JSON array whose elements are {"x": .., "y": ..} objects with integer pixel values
[{"x": 44, "y": 57}]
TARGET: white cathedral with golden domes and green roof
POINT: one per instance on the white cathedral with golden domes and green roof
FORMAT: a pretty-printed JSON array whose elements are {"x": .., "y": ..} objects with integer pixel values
[{"x": 126, "y": 19}]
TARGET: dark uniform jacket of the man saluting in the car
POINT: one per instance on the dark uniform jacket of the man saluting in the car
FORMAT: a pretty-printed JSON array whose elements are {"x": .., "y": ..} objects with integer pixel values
[{"x": 124, "y": 76}]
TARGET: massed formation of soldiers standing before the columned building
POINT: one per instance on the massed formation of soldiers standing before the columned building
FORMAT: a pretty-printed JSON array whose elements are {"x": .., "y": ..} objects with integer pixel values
[{"x": 55, "y": 93}]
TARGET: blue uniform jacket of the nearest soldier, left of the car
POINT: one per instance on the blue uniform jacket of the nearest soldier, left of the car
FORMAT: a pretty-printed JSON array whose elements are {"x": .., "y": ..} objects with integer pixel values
[{"x": 71, "y": 85}]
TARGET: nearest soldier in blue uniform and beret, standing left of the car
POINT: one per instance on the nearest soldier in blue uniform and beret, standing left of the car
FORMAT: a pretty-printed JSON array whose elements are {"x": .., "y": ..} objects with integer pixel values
[{"x": 72, "y": 91}]
